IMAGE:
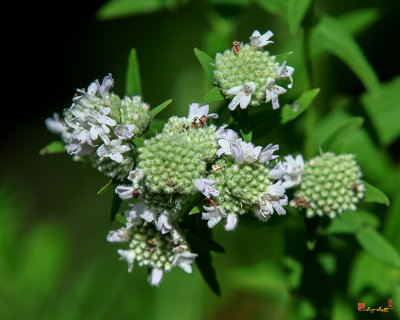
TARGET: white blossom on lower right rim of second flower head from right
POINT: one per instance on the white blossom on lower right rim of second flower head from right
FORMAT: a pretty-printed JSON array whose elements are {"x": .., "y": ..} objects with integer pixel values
[{"x": 274, "y": 199}]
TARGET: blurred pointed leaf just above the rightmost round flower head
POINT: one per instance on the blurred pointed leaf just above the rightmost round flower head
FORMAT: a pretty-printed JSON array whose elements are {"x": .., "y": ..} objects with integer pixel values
[{"x": 337, "y": 138}]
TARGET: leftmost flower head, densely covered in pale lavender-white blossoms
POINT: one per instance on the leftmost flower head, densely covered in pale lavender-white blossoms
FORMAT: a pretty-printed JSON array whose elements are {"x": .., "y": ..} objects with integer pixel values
[{"x": 99, "y": 126}]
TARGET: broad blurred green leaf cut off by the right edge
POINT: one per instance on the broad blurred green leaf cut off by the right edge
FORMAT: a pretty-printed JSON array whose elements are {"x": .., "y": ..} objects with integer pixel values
[{"x": 383, "y": 110}]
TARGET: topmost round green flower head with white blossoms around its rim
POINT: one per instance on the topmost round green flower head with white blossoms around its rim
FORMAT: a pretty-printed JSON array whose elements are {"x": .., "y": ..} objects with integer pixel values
[{"x": 250, "y": 74}]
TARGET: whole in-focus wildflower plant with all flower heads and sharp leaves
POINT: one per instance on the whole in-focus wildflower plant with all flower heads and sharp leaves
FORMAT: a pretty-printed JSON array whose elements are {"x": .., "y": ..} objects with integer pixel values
[{"x": 176, "y": 180}]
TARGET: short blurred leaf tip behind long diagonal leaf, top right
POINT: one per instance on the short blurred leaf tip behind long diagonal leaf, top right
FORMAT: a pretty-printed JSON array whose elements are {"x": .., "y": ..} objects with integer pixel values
[{"x": 355, "y": 22}]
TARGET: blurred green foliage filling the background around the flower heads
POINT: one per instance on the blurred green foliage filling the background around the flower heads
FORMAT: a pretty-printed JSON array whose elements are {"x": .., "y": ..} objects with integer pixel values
[{"x": 62, "y": 268}]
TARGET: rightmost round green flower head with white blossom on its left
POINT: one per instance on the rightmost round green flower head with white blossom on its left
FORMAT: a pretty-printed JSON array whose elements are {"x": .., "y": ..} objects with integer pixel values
[{"x": 327, "y": 185}]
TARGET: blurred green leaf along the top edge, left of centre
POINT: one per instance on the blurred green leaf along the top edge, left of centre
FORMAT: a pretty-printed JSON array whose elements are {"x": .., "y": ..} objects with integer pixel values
[{"x": 115, "y": 9}]
